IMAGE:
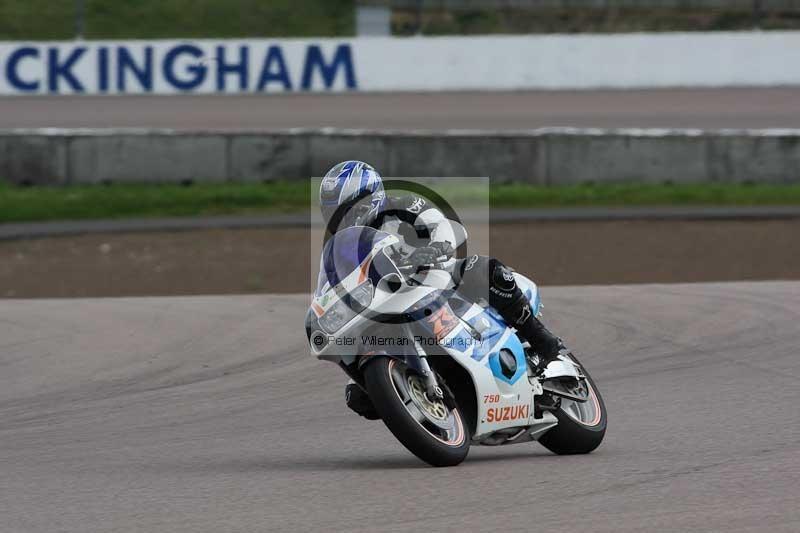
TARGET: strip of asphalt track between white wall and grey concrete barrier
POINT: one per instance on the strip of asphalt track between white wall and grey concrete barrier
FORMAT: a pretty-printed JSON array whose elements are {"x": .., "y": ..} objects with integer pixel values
[{"x": 671, "y": 108}]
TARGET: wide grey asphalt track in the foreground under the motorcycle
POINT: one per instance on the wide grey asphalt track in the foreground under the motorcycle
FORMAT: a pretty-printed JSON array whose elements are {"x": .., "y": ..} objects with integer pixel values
[{"x": 209, "y": 414}]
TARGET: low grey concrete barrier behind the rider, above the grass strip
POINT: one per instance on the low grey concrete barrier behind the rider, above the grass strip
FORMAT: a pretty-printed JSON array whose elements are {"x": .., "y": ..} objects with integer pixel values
[{"x": 545, "y": 156}]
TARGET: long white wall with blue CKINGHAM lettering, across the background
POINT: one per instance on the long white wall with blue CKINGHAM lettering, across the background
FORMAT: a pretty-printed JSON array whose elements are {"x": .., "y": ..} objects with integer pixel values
[{"x": 722, "y": 59}]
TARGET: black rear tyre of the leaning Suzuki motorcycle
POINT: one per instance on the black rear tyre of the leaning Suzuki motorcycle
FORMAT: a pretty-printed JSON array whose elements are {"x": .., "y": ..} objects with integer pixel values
[{"x": 572, "y": 436}]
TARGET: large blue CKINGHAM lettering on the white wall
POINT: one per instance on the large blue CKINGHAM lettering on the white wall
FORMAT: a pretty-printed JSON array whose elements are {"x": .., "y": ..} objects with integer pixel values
[{"x": 168, "y": 67}]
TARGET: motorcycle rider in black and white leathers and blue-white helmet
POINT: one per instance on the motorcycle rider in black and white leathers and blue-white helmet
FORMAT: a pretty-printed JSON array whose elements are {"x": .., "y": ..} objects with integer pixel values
[{"x": 352, "y": 194}]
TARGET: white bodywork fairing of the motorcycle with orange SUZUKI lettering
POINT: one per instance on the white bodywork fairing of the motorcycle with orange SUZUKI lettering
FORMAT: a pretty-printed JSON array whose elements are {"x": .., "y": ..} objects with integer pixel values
[{"x": 475, "y": 337}]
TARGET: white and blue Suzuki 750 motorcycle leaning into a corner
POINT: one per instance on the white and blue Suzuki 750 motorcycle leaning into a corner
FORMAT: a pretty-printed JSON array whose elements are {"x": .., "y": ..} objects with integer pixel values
[{"x": 443, "y": 373}]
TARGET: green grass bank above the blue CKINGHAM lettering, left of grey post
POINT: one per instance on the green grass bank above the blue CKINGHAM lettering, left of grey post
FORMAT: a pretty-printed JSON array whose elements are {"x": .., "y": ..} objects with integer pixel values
[{"x": 176, "y": 19}]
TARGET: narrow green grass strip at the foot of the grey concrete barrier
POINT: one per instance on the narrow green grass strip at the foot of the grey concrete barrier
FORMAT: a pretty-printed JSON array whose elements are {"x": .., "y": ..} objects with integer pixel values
[{"x": 23, "y": 204}]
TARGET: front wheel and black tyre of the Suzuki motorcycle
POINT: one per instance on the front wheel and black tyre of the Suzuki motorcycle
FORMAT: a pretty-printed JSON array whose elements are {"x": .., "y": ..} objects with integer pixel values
[{"x": 432, "y": 431}]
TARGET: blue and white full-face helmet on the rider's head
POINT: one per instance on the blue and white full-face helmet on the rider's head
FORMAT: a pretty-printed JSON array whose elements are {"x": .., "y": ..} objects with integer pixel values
[{"x": 346, "y": 184}]
